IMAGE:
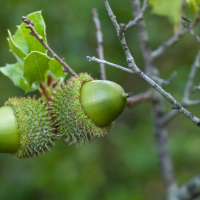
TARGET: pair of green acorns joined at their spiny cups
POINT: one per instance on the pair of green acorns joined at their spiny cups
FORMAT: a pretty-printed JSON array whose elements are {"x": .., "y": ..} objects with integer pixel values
[{"x": 80, "y": 110}]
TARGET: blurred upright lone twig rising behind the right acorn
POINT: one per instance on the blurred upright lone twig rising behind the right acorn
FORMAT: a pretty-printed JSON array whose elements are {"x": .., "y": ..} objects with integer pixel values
[{"x": 99, "y": 36}]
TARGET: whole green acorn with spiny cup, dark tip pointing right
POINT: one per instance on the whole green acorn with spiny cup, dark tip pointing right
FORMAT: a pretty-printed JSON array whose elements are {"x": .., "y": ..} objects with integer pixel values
[{"x": 84, "y": 108}]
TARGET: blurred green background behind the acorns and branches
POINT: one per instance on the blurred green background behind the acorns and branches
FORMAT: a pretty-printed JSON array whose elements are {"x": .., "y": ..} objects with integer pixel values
[{"x": 124, "y": 164}]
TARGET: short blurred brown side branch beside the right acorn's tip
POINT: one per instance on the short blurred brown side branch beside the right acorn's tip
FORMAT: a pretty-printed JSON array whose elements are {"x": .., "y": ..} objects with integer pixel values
[{"x": 139, "y": 98}]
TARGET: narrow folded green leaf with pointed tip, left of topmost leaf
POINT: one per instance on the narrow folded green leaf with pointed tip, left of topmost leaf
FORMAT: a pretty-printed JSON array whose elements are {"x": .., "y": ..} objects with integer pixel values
[{"x": 15, "y": 50}]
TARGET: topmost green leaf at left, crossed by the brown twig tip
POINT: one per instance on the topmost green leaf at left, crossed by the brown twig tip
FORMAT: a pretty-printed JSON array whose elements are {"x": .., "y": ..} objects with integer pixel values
[{"x": 40, "y": 27}]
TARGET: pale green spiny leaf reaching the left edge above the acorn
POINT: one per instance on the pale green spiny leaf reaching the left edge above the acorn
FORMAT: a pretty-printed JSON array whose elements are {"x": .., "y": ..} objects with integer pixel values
[{"x": 14, "y": 72}]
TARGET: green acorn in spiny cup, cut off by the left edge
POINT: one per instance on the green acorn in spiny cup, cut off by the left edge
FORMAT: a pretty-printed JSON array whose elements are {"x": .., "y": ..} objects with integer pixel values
[{"x": 25, "y": 127}]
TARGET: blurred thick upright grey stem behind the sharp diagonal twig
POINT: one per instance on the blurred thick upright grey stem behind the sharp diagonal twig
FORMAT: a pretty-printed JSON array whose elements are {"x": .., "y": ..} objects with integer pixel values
[{"x": 158, "y": 108}]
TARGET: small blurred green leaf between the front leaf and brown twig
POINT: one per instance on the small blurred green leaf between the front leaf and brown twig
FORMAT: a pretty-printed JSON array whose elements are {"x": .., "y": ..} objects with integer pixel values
[{"x": 56, "y": 68}]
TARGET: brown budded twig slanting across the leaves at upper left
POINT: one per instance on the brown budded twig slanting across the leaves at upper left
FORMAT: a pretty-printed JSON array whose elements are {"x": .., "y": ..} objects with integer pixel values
[{"x": 29, "y": 24}]
